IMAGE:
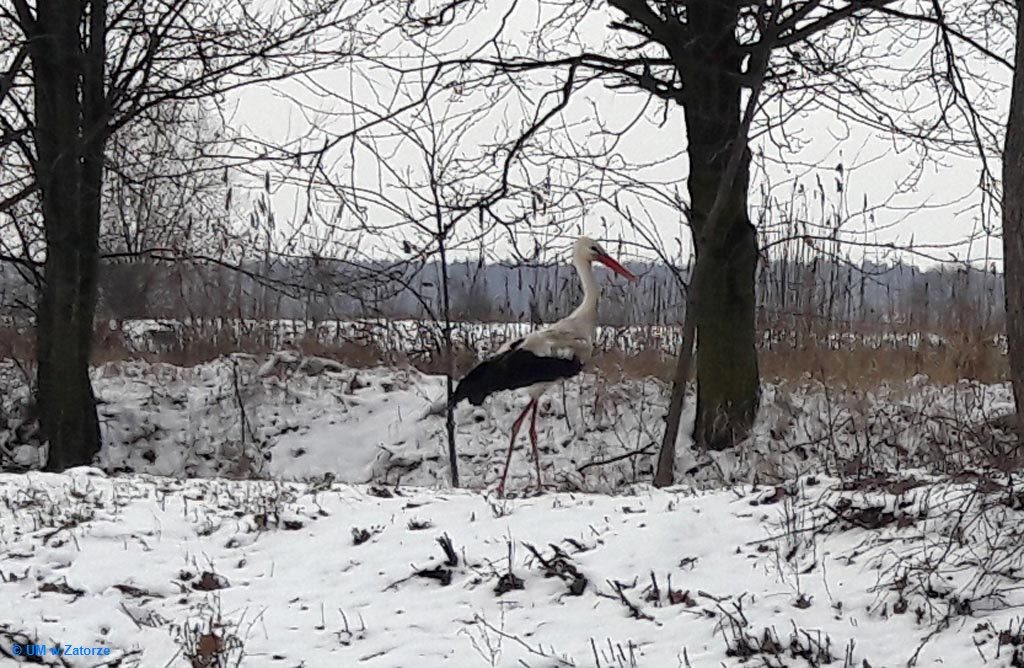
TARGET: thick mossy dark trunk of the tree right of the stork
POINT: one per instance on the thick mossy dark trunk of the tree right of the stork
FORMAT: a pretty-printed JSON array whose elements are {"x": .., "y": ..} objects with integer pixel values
[{"x": 729, "y": 387}]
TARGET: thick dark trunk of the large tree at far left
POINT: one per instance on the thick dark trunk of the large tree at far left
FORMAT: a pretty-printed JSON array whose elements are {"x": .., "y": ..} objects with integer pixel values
[{"x": 69, "y": 139}]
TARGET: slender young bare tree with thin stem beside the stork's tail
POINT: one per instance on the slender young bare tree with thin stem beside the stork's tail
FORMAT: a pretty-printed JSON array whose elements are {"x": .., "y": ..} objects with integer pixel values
[{"x": 425, "y": 208}]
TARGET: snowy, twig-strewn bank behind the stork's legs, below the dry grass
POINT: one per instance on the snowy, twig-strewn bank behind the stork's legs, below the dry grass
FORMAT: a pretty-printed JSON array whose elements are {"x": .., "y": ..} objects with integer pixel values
[{"x": 302, "y": 420}]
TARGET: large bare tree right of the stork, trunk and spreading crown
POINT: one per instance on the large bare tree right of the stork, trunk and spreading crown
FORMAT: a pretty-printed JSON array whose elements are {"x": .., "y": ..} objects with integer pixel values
[{"x": 723, "y": 62}]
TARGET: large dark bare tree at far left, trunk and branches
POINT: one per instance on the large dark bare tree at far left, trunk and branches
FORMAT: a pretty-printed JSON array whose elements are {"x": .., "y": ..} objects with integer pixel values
[{"x": 83, "y": 71}]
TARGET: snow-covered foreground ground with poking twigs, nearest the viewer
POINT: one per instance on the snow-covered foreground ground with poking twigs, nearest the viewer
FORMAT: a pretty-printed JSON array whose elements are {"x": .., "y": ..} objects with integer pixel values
[{"x": 172, "y": 573}]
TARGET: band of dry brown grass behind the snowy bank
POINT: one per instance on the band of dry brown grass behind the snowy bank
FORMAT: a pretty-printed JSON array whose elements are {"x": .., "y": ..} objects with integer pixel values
[{"x": 961, "y": 355}]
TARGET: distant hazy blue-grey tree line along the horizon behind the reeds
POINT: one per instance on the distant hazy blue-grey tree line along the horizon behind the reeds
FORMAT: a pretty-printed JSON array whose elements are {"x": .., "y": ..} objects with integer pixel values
[{"x": 836, "y": 293}]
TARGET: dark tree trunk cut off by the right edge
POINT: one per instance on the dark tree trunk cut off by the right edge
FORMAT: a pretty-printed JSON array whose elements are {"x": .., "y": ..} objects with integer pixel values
[{"x": 1013, "y": 224}]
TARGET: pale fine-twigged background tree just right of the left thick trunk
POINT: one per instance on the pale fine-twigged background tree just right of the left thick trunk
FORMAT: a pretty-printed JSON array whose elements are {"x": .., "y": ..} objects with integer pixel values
[{"x": 162, "y": 190}]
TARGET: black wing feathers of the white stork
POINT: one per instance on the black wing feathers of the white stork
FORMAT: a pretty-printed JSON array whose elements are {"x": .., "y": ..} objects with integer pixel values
[{"x": 510, "y": 370}]
